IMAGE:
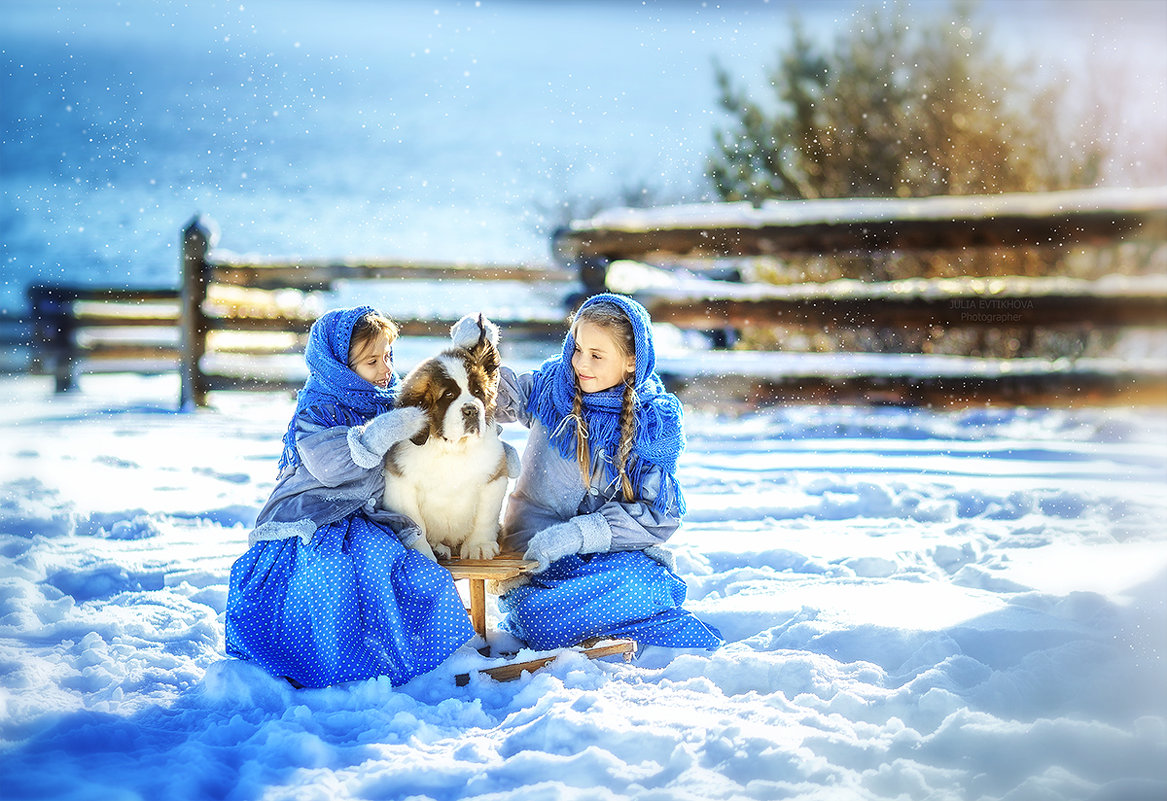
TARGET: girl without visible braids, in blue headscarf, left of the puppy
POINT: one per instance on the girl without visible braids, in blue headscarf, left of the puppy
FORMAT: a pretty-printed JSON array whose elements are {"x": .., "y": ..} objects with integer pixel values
[{"x": 331, "y": 589}]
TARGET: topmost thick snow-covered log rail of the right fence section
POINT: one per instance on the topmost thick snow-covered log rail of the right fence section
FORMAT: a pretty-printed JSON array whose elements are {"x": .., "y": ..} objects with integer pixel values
[{"x": 1099, "y": 217}]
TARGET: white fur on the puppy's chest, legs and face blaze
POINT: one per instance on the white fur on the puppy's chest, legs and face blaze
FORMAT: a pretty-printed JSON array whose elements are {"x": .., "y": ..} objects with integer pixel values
[{"x": 446, "y": 486}]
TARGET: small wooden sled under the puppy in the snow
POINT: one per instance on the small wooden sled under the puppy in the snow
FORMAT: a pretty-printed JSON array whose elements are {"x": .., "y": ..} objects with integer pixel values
[{"x": 505, "y": 567}]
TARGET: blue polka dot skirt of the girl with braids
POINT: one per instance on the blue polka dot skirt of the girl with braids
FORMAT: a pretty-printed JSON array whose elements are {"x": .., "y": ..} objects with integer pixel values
[{"x": 623, "y": 594}]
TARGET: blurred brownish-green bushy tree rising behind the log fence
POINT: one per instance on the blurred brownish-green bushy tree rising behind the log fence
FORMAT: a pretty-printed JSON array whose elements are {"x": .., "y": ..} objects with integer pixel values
[{"x": 900, "y": 107}]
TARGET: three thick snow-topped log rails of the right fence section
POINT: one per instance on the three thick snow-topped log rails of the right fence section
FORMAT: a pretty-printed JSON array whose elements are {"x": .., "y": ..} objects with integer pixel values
[{"x": 704, "y": 238}]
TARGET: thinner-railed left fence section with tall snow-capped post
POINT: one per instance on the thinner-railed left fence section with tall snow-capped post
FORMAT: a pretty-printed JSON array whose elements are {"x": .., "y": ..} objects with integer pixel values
[{"x": 239, "y": 310}]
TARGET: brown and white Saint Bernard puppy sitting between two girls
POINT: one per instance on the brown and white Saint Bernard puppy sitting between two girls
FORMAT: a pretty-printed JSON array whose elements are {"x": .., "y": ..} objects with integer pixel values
[{"x": 451, "y": 479}]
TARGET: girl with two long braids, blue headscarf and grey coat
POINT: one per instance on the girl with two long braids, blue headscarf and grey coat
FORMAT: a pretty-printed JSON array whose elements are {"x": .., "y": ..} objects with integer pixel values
[{"x": 598, "y": 492}]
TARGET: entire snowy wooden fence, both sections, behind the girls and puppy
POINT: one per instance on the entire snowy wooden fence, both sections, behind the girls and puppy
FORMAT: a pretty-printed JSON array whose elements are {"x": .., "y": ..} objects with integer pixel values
[{"x": 240, "y": 324}]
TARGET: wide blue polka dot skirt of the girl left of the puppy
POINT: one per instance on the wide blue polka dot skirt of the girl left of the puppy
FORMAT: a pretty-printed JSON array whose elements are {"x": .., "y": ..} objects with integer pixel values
[{"x": 354, "y": 604}]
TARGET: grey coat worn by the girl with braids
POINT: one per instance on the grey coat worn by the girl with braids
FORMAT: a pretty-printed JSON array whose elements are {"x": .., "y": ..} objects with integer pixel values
[{"x": 551, "y": 491}]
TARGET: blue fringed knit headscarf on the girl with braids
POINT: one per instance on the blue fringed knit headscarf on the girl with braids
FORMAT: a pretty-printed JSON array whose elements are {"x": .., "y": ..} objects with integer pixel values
[{"x": 660, "y": 423}]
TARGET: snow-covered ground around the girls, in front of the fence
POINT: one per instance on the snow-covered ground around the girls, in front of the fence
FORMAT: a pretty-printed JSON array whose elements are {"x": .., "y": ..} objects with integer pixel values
[{"x": 918, "y": 605}]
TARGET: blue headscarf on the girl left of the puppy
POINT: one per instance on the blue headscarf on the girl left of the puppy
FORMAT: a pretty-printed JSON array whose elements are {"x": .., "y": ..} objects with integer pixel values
[{"x": 332, "y": 381}]
